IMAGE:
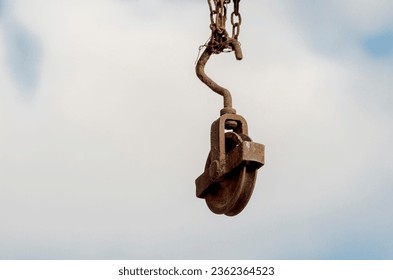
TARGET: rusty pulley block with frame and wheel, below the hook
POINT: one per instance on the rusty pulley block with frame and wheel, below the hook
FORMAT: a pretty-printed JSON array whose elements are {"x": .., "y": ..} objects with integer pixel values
[{"x": 231, "y": 167}]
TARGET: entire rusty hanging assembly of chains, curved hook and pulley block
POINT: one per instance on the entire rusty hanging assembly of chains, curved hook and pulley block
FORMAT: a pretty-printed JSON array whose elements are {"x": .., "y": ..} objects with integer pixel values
[{"x": 228, "y": 180}]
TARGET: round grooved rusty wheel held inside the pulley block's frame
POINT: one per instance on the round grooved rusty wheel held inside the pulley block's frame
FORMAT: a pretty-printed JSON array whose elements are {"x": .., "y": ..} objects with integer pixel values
[{"x": 231, "y": 195}]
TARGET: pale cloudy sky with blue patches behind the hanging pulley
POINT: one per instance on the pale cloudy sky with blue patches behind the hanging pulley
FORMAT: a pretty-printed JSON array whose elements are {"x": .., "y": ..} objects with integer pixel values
[{"x": 104, "y": 127}]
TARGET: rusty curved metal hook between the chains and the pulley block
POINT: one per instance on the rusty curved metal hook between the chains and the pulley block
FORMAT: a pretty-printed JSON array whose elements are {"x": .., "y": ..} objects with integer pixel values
[{"x": 200, "y": 71}]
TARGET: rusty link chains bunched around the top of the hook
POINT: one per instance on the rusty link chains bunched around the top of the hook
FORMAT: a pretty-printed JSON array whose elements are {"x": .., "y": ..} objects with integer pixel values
[{"x": 220, "y": 41}]
